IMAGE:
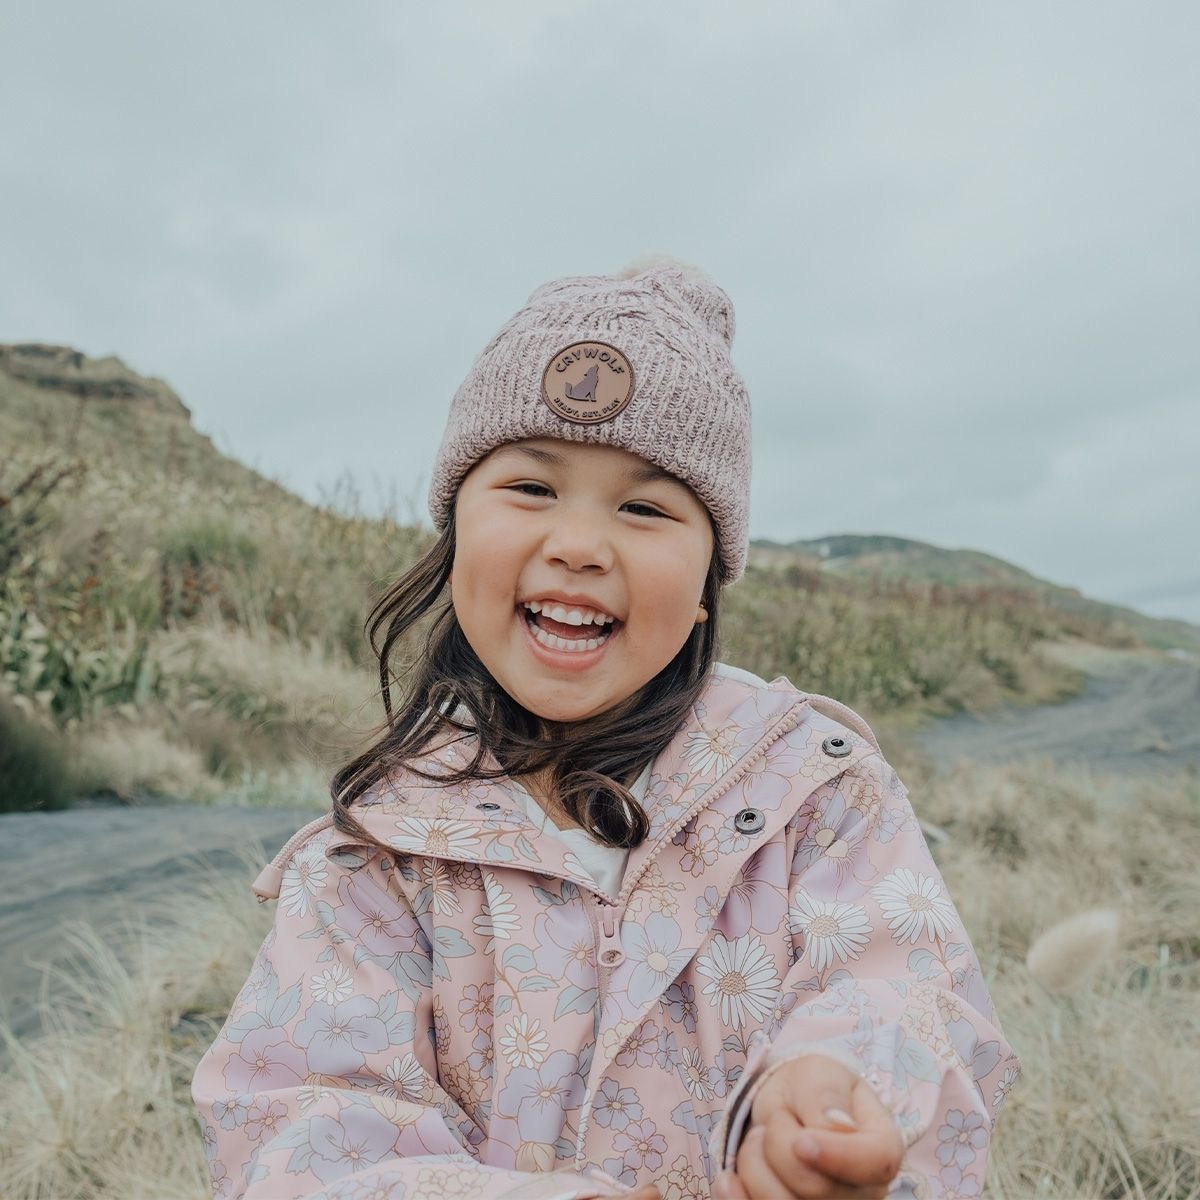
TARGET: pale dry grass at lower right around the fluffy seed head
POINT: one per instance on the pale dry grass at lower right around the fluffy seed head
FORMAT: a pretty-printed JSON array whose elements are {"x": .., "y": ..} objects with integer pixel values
[{"x": 1109, "y": 1102}]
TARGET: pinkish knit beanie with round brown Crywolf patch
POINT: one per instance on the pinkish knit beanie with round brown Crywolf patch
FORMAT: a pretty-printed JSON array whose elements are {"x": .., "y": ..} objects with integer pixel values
[{"x": 638, "y": 361}]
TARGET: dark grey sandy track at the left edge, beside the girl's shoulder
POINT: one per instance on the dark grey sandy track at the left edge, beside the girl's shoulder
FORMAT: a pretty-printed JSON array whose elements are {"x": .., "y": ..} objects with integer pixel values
[{"x": 103, "y": 863}]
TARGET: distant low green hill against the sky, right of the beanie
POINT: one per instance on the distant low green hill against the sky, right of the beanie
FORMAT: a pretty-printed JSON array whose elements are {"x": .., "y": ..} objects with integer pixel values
[{"x": 891, "y": 560}]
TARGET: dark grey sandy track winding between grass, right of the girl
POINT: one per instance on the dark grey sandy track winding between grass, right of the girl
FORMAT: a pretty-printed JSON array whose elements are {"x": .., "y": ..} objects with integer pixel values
[{"x": 1141, "y": 711}]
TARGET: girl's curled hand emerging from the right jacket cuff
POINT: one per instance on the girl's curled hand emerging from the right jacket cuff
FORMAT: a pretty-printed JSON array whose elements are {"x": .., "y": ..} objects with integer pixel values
[{"x": 791, "y": 1112}]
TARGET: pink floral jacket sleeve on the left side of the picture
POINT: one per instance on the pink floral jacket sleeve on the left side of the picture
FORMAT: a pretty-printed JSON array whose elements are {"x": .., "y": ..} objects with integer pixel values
[{"x": 323, "y": 1082}]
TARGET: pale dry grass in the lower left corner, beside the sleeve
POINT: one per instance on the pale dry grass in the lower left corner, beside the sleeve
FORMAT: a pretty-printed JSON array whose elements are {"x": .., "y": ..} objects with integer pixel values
[{"x": 99, "y": 1106}]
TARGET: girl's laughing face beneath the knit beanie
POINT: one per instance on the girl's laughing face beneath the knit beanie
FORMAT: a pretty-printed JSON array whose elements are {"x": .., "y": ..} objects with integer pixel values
[{"x": 559, "y": 521}]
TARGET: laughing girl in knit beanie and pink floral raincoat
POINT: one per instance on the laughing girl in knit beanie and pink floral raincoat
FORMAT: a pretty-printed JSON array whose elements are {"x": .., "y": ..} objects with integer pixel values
[{"x": 599, "y": 915}]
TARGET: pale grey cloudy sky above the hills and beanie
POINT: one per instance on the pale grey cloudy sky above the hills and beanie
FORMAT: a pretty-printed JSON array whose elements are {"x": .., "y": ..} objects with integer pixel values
[{"x": 961, "y": 239}]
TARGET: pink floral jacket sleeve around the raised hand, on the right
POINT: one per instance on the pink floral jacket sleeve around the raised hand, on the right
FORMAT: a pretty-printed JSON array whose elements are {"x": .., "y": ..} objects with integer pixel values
[{"x": 885, "y": 981}]
